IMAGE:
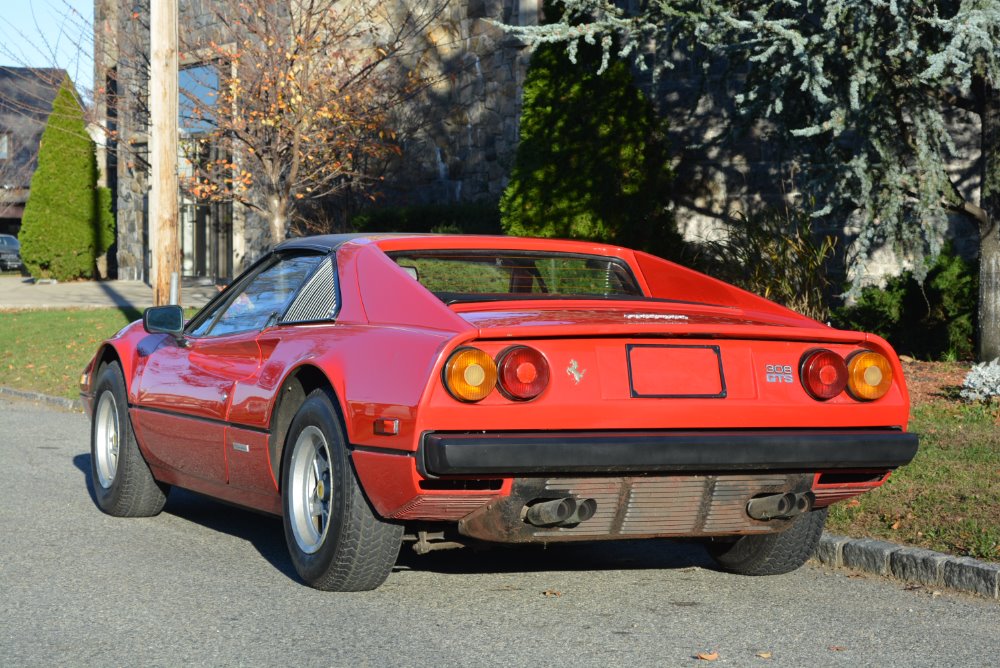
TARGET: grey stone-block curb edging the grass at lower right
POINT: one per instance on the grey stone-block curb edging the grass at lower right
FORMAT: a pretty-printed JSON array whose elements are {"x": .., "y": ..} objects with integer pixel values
[{"x": 910, "y": 564}]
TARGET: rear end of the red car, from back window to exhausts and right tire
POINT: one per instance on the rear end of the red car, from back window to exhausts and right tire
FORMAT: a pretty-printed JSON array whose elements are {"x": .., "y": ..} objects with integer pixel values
[{"x": 606, "y": 394}]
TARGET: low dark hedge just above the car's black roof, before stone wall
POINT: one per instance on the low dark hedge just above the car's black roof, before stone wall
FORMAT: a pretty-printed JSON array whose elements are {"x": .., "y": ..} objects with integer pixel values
[{"x": 472, "y": 218}]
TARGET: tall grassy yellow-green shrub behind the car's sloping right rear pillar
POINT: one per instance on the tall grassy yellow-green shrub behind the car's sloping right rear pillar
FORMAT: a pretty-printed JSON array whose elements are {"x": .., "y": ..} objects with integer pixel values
[{"x": 774, "y": 254}]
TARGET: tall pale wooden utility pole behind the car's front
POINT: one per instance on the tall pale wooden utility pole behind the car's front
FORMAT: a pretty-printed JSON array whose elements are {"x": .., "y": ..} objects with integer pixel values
[{"x": 163, "y": 100}]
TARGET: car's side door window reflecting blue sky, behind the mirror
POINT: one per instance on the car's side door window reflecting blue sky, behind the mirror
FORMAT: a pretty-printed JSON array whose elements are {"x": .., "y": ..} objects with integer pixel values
[{"x": 262, "y": 300}]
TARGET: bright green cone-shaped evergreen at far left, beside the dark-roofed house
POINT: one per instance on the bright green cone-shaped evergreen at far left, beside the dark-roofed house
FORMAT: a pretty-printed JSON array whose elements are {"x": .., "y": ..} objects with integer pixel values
[{"x": 63, "y": 232}]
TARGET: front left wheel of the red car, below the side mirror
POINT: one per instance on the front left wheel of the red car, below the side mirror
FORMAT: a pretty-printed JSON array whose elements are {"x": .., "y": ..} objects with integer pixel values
[{"x": 123, "y": 483}]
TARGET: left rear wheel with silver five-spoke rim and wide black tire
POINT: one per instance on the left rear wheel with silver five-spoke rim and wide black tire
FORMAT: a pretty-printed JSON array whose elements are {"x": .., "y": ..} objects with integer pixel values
[{"x": 337, "y": 542}]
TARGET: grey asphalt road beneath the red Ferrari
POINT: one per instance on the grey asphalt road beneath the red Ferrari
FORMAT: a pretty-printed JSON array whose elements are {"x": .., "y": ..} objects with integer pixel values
[{"x": 207, "y": 584}]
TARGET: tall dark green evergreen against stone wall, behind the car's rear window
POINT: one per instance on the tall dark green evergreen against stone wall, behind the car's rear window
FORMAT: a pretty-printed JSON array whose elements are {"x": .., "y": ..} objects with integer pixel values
[{"x": 592, "y": 162}]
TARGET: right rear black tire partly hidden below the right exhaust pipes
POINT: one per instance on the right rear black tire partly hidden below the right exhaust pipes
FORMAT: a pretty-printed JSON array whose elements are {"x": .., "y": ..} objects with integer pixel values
[{"x": 773, "y": 553}]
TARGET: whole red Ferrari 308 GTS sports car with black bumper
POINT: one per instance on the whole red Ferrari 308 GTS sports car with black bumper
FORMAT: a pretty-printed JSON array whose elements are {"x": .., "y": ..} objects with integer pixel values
[{"x": 372, "y": 389}]
